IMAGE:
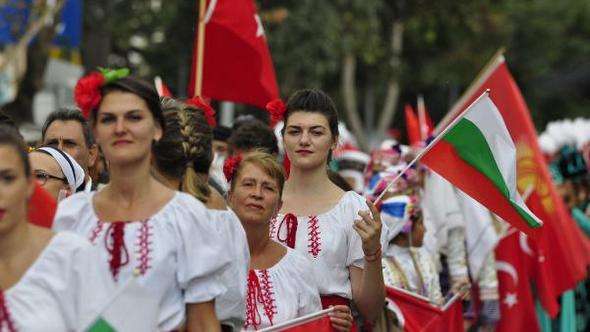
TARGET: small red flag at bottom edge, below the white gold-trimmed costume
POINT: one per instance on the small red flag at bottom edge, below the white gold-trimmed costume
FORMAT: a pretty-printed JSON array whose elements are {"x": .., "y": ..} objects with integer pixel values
[{"x": 416, "y": 313}]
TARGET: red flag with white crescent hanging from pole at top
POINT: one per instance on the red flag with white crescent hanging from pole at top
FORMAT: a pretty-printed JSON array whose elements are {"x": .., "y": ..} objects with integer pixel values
[{"x": 236, "y": 64}]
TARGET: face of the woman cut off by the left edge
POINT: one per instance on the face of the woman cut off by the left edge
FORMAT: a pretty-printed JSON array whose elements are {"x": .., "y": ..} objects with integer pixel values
[{"x": 15, "y": 189}]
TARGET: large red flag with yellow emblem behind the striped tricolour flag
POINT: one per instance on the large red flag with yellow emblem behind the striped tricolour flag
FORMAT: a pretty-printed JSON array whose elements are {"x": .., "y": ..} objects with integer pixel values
[{"x": 563, "y": 252}]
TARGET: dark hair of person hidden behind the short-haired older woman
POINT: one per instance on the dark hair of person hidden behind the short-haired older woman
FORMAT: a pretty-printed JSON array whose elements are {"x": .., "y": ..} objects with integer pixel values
[{"x": 254, "y": 134}]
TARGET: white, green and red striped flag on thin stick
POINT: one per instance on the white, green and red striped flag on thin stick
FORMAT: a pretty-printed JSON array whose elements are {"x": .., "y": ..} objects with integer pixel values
[{"x": 476, "y": 154}]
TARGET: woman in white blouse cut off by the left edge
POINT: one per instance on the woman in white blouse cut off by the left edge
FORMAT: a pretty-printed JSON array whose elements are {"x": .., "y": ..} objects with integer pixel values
[{"x": 48, "y": 281}]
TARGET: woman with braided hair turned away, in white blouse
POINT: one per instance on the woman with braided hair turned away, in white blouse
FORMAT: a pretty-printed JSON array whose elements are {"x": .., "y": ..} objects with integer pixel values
[{"x": 182, "y": 158}]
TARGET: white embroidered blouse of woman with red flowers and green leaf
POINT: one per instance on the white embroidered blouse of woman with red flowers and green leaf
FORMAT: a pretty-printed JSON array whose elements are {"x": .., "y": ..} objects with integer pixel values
[{"x": 186, "y": 254}]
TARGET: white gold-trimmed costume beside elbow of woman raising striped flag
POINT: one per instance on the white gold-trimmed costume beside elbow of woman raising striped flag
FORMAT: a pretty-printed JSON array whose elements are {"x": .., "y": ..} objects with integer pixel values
[{"x": 392, "y": 277}]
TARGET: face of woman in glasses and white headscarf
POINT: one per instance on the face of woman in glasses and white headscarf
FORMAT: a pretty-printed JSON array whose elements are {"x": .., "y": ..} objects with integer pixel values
[{"x": 48, "y": 173}]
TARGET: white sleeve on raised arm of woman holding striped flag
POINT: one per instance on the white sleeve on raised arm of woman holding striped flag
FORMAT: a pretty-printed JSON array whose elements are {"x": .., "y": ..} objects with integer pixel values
[{"x": 355, "y": 256}]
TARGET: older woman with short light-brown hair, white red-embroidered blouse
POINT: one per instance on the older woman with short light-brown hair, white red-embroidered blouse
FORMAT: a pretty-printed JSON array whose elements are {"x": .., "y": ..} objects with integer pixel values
[{"x": 280, "y": 285}]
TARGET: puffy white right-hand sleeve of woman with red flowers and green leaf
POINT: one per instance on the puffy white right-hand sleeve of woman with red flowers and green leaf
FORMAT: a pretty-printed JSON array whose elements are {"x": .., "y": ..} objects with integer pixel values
[{"x": 202, "y": 254}]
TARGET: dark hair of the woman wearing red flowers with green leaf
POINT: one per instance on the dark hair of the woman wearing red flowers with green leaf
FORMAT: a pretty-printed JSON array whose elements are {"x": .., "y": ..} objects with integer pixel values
[{"x": 138, "y": 87}]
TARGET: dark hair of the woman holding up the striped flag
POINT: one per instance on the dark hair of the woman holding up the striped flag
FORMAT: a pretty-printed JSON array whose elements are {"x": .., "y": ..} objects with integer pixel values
[{"x": 313, "y": 101}]
